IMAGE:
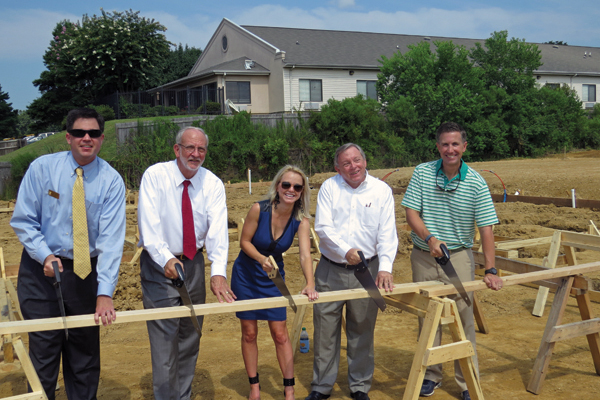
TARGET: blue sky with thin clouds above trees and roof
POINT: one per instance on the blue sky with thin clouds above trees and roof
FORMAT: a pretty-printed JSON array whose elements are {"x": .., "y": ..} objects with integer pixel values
[{"x": 26, "y": 27}]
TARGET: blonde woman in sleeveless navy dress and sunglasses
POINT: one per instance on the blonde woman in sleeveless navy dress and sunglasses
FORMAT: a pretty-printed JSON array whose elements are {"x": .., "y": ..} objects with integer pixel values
[{"x": 269, "y": 230}]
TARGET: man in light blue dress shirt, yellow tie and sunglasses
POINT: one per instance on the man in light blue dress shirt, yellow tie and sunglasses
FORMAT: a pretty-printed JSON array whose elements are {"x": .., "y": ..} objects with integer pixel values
[{"x": 43, "y": 222}]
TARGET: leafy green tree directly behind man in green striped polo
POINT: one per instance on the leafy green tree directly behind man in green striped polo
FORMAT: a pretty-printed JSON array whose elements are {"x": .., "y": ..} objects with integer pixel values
[{"x": 423, "y": 88}]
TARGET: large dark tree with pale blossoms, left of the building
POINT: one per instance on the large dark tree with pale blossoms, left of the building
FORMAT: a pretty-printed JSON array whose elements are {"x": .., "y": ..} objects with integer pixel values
[{"x": 102, "y": 54}]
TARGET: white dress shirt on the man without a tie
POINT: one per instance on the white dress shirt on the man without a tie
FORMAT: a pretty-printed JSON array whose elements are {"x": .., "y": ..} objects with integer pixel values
[{"x": 362, "y": 218}]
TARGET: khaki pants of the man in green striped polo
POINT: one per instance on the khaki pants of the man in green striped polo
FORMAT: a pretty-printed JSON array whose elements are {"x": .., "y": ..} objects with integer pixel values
[{"x": 425, "y": 268}]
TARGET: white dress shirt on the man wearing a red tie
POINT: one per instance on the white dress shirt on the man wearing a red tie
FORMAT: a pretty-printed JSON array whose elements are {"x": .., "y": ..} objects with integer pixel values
[{"x": 160, "y": 220}]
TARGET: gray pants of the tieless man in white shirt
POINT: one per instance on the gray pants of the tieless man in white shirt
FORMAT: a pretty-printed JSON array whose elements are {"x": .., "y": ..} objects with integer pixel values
[{"x": 361, "y": 315}]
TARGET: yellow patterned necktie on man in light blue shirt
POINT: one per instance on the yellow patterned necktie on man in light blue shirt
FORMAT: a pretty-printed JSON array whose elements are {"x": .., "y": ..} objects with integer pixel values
[{"x": 81, "y": 245}]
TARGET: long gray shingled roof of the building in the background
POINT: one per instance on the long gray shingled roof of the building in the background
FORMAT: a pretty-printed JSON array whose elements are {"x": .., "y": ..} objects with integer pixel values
[{"x": 347, "y": 49}]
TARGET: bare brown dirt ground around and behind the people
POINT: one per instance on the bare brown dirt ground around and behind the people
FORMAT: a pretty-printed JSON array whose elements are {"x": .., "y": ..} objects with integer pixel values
[{"x": 506, "y": 354}]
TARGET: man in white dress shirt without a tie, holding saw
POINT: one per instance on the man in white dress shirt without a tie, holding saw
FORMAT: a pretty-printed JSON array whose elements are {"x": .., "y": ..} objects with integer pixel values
[{"x": 355, "y": 212}]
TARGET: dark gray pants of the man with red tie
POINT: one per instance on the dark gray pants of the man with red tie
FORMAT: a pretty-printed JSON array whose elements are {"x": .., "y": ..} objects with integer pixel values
[{"x": 174, "y": 343}]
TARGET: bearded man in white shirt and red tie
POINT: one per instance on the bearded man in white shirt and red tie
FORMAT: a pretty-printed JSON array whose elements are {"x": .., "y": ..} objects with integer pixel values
[{"x": 163, "y": 218}]
